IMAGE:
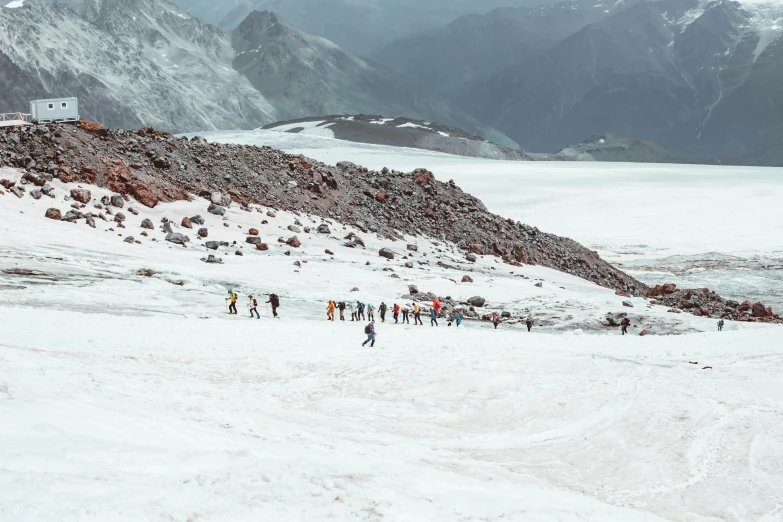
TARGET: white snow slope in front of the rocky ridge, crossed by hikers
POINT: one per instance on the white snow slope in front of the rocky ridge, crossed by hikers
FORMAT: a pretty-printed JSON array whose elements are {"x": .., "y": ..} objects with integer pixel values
[{"x": 128, "y": 397}]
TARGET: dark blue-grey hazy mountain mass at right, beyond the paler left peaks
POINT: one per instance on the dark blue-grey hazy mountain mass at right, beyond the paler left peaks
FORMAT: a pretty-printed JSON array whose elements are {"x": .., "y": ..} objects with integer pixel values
[{"x": 701, "y": 78}]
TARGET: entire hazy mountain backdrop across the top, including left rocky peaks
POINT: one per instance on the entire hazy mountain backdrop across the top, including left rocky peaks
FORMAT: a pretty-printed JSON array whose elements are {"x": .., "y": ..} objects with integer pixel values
[{"x": 700, "y": 78}]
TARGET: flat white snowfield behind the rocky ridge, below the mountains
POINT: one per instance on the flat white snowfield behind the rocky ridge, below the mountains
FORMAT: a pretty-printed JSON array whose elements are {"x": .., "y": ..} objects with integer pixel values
[{"x": 693, "y": 225}]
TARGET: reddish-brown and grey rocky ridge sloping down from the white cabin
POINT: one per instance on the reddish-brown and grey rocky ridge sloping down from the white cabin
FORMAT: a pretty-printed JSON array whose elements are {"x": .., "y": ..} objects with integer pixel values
[{"x": 153, "y": 166}]
